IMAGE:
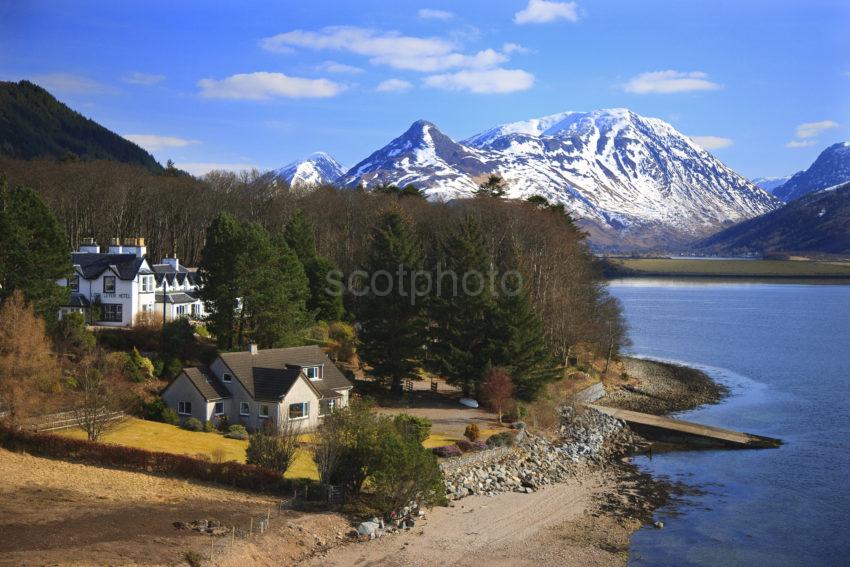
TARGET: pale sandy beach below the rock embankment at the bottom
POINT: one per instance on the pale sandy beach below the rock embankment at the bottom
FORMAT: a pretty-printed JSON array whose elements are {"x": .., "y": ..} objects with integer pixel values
[{"x": 560, "y": 525}]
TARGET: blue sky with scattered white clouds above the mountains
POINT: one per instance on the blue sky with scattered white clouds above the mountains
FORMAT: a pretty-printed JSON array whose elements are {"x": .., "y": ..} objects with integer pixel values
[{"x": 765, "y": 86}]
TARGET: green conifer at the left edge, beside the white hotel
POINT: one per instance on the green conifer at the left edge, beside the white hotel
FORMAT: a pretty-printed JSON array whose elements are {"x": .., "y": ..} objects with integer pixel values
[{"x": 33, "y": 250}]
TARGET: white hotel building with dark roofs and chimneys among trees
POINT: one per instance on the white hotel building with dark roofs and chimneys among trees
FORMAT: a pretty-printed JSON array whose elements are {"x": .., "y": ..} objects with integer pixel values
[{"x": 123, "y": 286}]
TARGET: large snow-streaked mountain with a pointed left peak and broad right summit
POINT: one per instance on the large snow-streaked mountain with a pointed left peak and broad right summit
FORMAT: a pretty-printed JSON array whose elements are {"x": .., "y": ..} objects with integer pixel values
[{"x": 616, "y": 171}]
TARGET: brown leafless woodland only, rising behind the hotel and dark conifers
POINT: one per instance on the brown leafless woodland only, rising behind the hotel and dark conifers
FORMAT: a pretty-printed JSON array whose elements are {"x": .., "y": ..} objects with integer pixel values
[{"x": 564, "y": 286}]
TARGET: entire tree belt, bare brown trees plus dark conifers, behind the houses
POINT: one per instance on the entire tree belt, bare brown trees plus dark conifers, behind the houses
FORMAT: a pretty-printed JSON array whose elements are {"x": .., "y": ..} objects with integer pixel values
[{"x": 255, "y": 238}]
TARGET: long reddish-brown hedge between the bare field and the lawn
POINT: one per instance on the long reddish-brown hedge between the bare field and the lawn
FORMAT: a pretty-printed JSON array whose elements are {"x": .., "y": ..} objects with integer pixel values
[{"x": 130, "y": 458}]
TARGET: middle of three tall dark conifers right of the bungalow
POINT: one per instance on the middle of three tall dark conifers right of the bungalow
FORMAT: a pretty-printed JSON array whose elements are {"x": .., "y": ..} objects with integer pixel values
[{"x": 464, "y": 316}]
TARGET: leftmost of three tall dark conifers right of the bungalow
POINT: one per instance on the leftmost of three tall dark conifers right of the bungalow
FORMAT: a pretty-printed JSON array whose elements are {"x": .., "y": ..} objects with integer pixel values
[{"x": 393, "y": 328}]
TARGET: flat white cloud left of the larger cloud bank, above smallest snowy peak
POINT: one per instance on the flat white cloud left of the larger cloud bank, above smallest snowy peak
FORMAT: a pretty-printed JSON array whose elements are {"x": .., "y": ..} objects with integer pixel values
[{"x": 263, "y": 85}]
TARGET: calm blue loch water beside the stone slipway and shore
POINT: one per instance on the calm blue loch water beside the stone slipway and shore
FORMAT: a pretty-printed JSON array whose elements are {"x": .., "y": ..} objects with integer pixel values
[{"x": 784, "y": 350}]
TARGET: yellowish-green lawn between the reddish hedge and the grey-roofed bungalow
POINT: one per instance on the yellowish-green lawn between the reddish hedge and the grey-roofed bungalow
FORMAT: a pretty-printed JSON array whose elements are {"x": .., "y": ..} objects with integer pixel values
[{"x": 156, "y": 436}]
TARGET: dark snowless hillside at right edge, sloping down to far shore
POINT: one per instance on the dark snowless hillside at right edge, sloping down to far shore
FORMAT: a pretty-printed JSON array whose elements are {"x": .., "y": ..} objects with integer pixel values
[{"x": 817, "y": 222}]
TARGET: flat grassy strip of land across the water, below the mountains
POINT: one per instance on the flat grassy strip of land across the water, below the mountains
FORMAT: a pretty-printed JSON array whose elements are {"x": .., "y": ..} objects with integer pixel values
[{"x": 619, "y": 267}]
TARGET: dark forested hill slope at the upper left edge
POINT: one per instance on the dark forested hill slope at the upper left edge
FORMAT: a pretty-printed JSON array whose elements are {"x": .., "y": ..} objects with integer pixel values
[{"x": 34, "y": 124}]
